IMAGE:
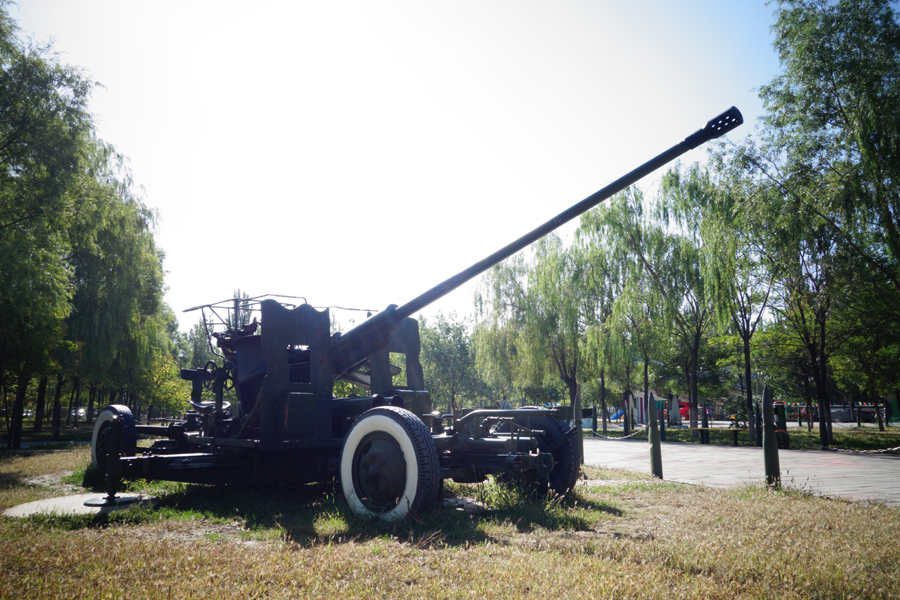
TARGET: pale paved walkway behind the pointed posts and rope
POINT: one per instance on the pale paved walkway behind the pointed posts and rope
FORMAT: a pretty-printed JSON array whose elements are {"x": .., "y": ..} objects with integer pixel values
[{"x": 857, "y": 477}]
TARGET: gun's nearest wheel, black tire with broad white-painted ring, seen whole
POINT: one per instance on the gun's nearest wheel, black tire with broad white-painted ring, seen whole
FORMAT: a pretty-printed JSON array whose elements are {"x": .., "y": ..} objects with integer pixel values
[{"x": 389, "y": 465}]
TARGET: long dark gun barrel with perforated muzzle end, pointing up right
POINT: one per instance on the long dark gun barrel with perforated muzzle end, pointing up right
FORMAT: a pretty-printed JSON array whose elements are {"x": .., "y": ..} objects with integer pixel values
[{"x": 355, "y": 345}]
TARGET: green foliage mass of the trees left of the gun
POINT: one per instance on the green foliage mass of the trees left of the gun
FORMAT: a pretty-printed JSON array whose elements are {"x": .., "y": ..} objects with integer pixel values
[{"x": 81, "y": 279}]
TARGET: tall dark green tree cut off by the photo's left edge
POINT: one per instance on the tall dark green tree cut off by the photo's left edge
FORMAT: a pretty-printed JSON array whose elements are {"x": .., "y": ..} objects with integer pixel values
[{"x": 44, "y": 128}]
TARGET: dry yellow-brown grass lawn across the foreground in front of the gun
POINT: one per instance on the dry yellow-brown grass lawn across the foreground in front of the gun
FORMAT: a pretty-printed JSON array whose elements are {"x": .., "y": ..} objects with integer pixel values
[{"x": 619, "y": 536}]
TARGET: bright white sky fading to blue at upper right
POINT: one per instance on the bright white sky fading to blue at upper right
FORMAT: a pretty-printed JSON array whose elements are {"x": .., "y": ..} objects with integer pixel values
[{"x": 357, "y": 153}]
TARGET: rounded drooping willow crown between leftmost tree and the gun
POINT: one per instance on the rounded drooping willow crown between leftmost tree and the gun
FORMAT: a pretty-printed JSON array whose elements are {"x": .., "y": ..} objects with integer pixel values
[{"x": 118, "y": 317}]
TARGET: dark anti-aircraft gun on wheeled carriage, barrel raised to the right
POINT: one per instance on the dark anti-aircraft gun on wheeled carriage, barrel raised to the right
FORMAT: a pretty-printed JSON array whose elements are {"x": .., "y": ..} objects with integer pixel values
[{"x": 388, "y": 449}]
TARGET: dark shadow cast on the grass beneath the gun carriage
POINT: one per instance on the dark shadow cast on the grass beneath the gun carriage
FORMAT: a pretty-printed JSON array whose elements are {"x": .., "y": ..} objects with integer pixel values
[{"x": 310, "y": 514}]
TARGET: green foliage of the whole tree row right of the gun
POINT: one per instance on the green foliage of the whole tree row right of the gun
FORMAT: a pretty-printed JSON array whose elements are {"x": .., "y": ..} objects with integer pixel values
[{"x": 777, "y": 264}]
